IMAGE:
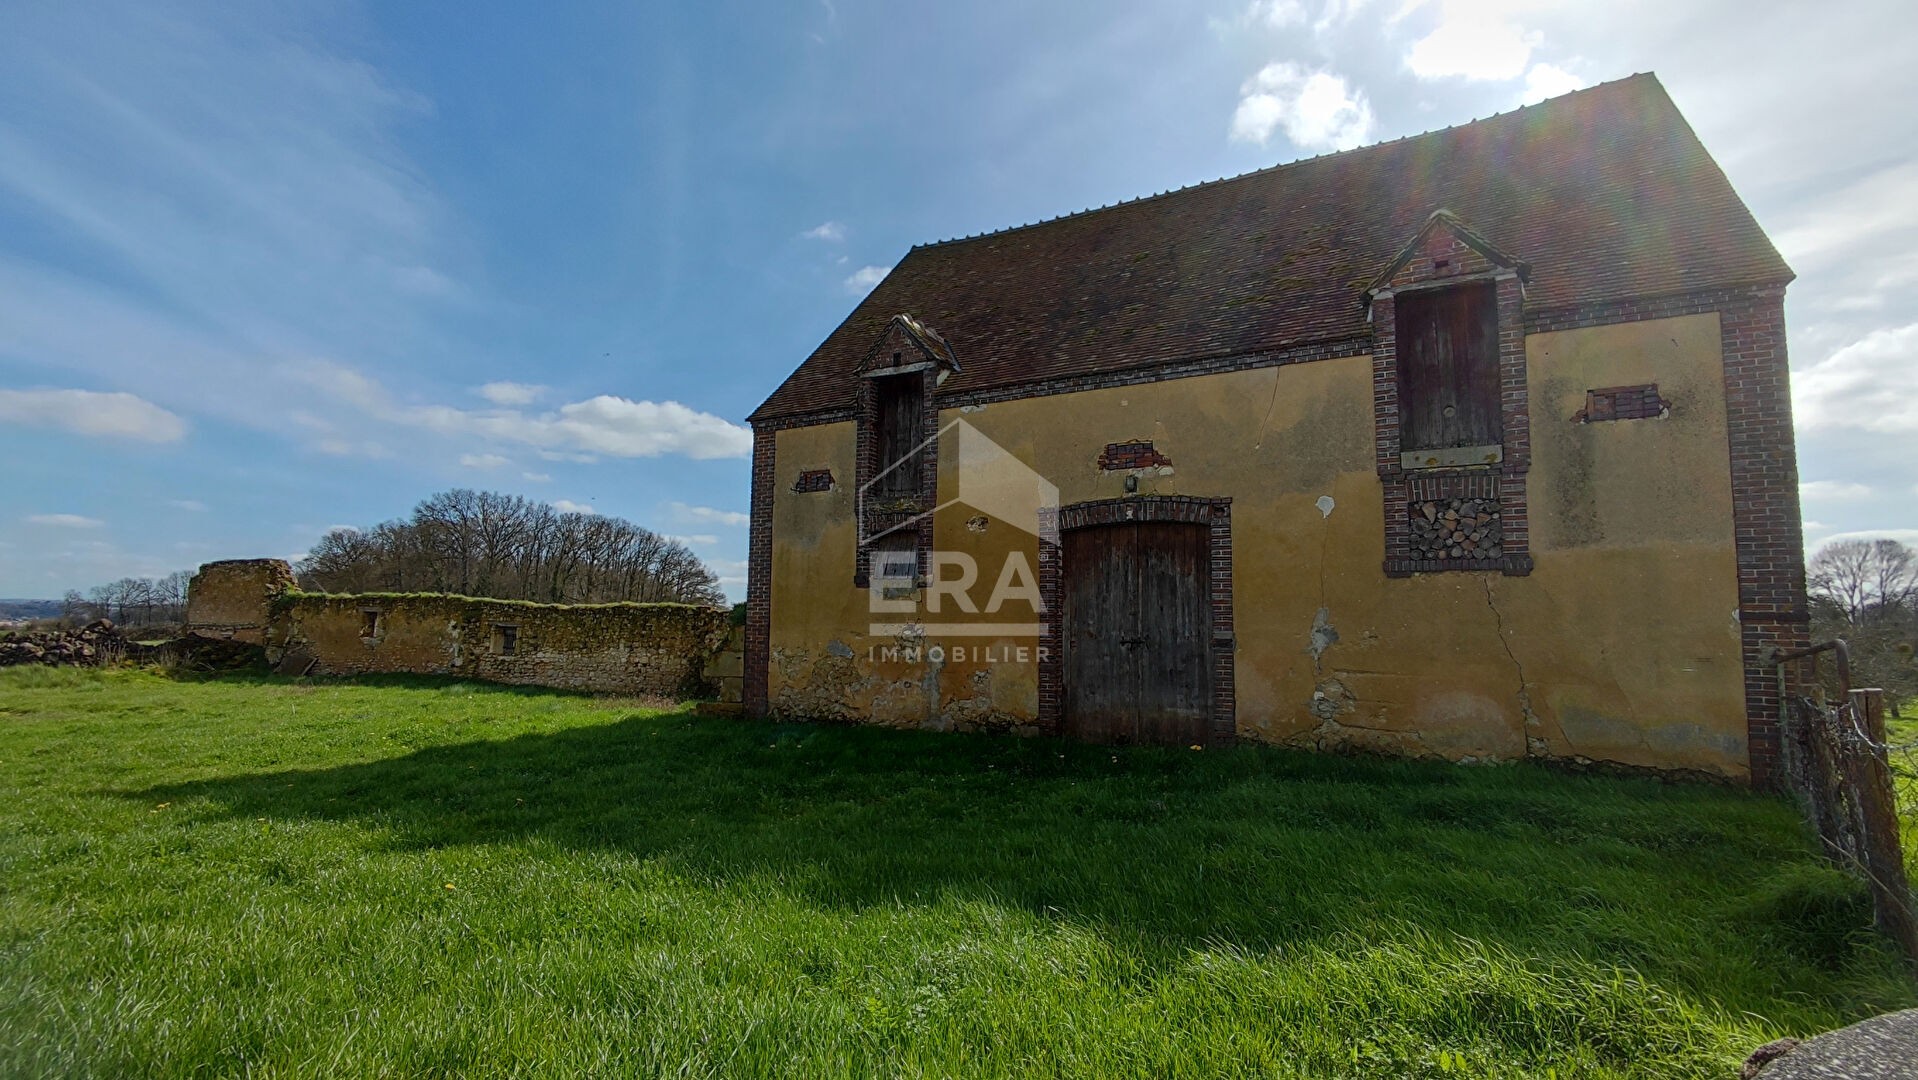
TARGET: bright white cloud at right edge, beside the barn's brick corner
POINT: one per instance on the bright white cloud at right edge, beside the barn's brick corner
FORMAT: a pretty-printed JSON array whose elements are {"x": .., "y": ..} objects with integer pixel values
[{"x": 1871, "y": 385}]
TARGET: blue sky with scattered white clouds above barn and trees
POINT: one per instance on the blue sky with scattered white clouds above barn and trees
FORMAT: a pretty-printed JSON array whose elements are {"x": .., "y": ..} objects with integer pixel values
[{"x": 283, "y": 266}]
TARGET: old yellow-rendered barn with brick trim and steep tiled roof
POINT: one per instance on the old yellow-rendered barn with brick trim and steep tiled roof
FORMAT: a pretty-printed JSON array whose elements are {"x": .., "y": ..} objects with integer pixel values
[{"x": 1476, "y": 446}]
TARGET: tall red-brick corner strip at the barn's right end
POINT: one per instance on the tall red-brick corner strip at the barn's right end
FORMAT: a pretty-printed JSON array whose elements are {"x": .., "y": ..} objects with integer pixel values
[{"x": 1766, "y": 511}]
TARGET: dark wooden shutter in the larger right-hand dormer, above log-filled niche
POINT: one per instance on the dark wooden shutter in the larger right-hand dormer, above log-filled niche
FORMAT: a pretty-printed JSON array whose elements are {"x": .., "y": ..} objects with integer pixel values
[{"x": 1449, "y": 367}]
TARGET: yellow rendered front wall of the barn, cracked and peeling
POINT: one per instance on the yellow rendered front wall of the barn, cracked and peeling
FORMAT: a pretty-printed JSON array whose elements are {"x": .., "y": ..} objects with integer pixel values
[{"x": 1622, "y": 646}]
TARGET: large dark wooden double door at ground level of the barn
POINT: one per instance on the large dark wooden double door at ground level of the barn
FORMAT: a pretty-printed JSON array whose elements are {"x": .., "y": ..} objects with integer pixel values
[{"x": 1136, "y": 630}]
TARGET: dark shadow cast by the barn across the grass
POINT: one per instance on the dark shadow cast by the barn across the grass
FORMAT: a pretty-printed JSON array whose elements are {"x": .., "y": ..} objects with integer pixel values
[{"x": 1169, "y": 849}]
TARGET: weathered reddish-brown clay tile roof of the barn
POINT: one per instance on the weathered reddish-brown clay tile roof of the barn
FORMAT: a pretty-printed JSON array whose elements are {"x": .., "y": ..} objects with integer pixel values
[{"x": 1604, "y": 195}]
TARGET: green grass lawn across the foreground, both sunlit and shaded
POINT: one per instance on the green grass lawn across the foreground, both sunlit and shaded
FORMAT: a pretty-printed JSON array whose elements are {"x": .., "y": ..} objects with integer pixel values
[{"x": 434, "y": 880}]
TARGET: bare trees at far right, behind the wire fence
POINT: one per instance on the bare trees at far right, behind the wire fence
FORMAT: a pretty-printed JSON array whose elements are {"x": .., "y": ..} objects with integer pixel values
[{"x": 1867, "y": 594}]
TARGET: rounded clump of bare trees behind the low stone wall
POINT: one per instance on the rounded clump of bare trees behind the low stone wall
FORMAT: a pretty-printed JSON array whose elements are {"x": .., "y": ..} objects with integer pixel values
[{"x": 484, "y": 544}]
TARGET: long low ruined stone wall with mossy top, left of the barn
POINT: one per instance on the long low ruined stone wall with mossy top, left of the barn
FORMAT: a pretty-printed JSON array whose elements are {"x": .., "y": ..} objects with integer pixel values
[{"x": 634, "y": 649}]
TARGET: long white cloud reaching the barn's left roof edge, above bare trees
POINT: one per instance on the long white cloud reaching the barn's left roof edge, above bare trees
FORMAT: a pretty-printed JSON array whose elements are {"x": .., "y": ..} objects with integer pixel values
[{"x": 605, "y": 425}]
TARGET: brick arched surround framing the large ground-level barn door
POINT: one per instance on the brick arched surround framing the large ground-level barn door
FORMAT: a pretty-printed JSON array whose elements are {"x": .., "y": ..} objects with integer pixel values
[{"x": 1211, "y": 513}]
